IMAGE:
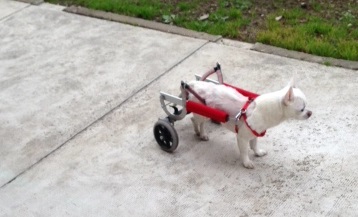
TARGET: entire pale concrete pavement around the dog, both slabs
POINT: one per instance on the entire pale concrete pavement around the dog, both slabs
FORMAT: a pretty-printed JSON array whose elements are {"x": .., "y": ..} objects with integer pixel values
[{"x": 79, "y": 98}]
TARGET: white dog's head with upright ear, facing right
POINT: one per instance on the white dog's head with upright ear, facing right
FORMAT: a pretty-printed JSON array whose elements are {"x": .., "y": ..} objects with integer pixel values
[{"x": 294, "y": 103}]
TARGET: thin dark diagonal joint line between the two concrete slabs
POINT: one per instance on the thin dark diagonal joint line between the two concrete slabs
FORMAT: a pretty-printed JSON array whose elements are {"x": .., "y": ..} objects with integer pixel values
[{"x": 104, "y": 115}]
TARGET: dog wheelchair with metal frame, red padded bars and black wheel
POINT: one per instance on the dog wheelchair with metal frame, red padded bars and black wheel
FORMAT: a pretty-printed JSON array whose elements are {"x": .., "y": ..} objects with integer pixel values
[{"x": 178, "y": 107}]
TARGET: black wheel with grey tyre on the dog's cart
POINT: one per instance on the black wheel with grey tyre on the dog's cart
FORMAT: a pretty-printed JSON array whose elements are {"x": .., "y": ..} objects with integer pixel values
[{"x": 166, "y": 135}]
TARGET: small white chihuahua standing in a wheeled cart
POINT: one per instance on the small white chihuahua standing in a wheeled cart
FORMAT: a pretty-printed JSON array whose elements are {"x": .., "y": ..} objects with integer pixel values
[{"x": 266, "y": 111}]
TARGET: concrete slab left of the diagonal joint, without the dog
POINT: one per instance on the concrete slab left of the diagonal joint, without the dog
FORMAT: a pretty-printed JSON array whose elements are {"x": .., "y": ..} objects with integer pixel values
[{"x": 60, "y": 72}]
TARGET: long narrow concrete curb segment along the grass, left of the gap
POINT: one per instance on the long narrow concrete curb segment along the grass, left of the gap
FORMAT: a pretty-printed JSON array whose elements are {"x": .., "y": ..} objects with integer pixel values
[{"x": 141, "y": 23}]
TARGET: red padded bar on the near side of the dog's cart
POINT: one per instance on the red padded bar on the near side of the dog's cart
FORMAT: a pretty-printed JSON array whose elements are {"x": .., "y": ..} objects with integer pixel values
[{"x": 201, "y": 109}]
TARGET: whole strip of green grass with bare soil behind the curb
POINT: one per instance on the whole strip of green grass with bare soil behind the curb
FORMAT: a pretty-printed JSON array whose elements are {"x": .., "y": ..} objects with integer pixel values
[{"x": 304, "y": 30}]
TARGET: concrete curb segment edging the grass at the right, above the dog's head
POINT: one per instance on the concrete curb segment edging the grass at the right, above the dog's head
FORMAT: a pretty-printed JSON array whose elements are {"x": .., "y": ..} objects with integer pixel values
[{"x": 304, "y": 56}]
